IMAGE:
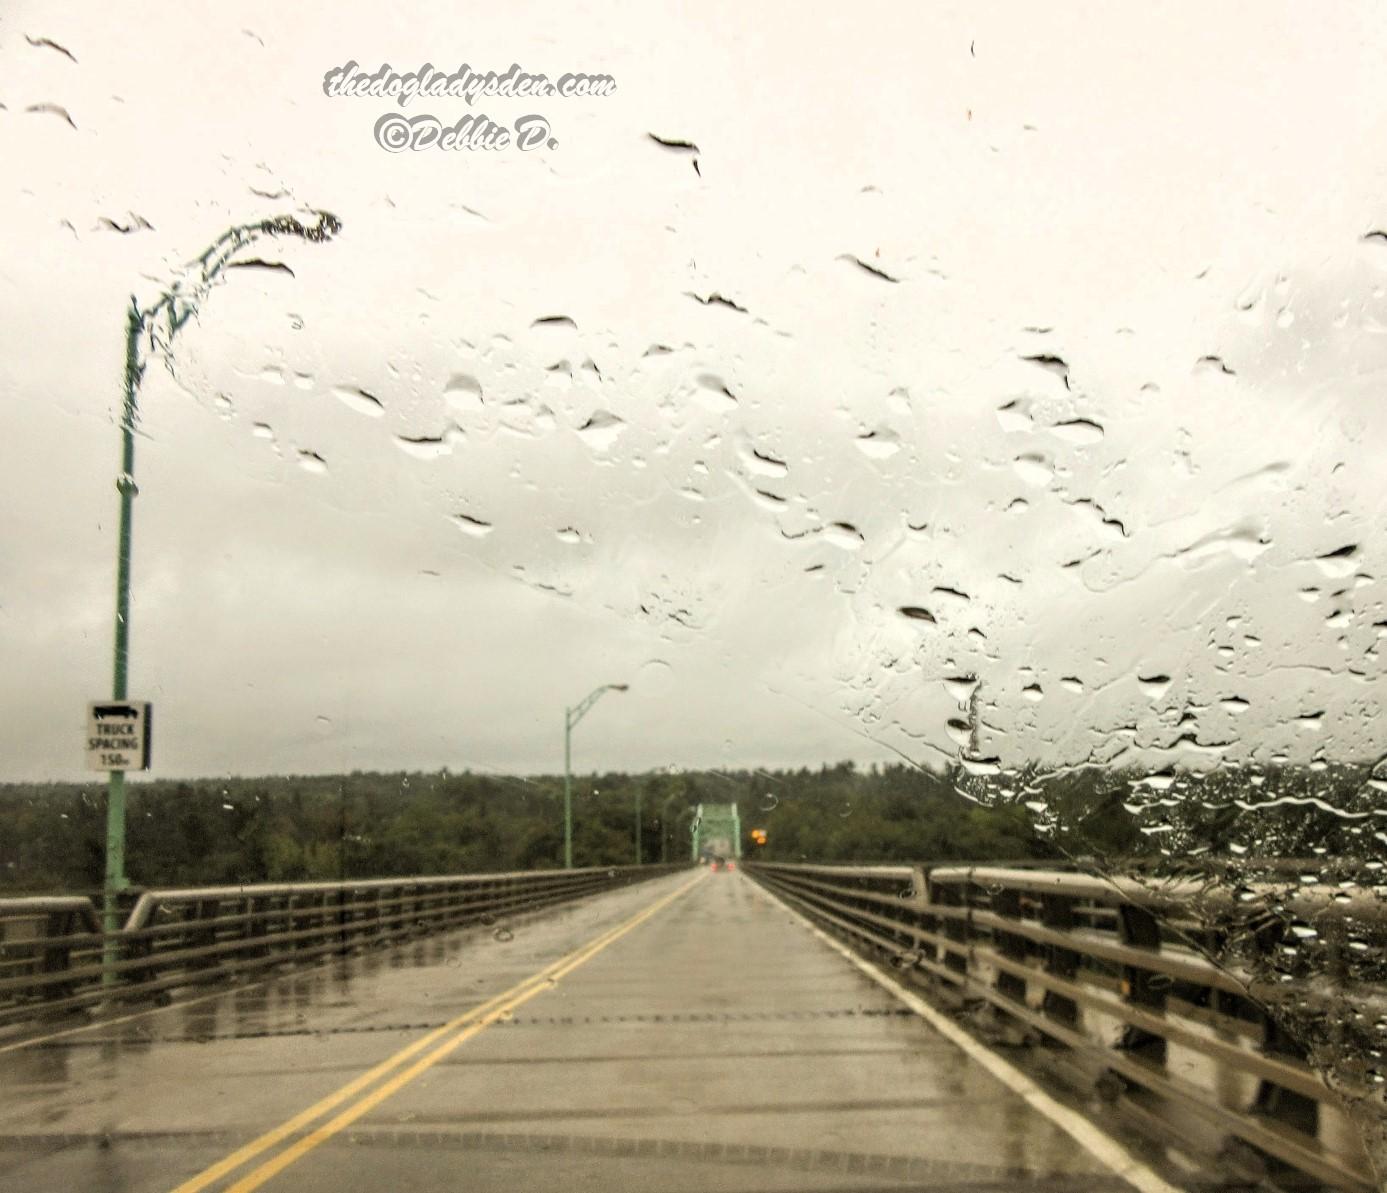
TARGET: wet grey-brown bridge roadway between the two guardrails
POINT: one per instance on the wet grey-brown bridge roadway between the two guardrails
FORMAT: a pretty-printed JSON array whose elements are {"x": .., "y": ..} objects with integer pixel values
[{"x": 712, "y": 1045}]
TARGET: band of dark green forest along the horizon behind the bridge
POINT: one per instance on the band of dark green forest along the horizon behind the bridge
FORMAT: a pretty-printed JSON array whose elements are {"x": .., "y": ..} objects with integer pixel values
[{"x": 374, "y": 825}]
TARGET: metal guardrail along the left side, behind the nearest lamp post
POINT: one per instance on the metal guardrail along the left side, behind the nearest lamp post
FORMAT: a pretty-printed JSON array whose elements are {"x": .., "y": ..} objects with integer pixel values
[{"x": 53, "y": 950}]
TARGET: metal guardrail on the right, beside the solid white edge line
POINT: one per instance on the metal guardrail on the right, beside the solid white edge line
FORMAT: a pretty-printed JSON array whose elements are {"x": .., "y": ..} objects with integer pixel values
[{"x": 1102, "y": 975}]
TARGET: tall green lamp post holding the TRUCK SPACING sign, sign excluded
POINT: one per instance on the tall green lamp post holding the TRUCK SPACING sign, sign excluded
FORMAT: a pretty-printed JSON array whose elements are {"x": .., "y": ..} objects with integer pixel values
[{"x": 160, "y": 324}]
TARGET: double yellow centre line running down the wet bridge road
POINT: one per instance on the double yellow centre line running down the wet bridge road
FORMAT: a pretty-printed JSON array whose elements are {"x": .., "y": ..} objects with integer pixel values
[{"x": 467, "y": 1026}]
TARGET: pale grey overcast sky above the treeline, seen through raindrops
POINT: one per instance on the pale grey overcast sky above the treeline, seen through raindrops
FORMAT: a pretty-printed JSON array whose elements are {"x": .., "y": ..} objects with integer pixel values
[{"x": 576, "y": 465}]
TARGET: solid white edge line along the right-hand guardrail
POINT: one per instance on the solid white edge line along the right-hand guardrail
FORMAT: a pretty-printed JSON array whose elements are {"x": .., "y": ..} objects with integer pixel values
[{"x": 1089, "y": 1137}]
